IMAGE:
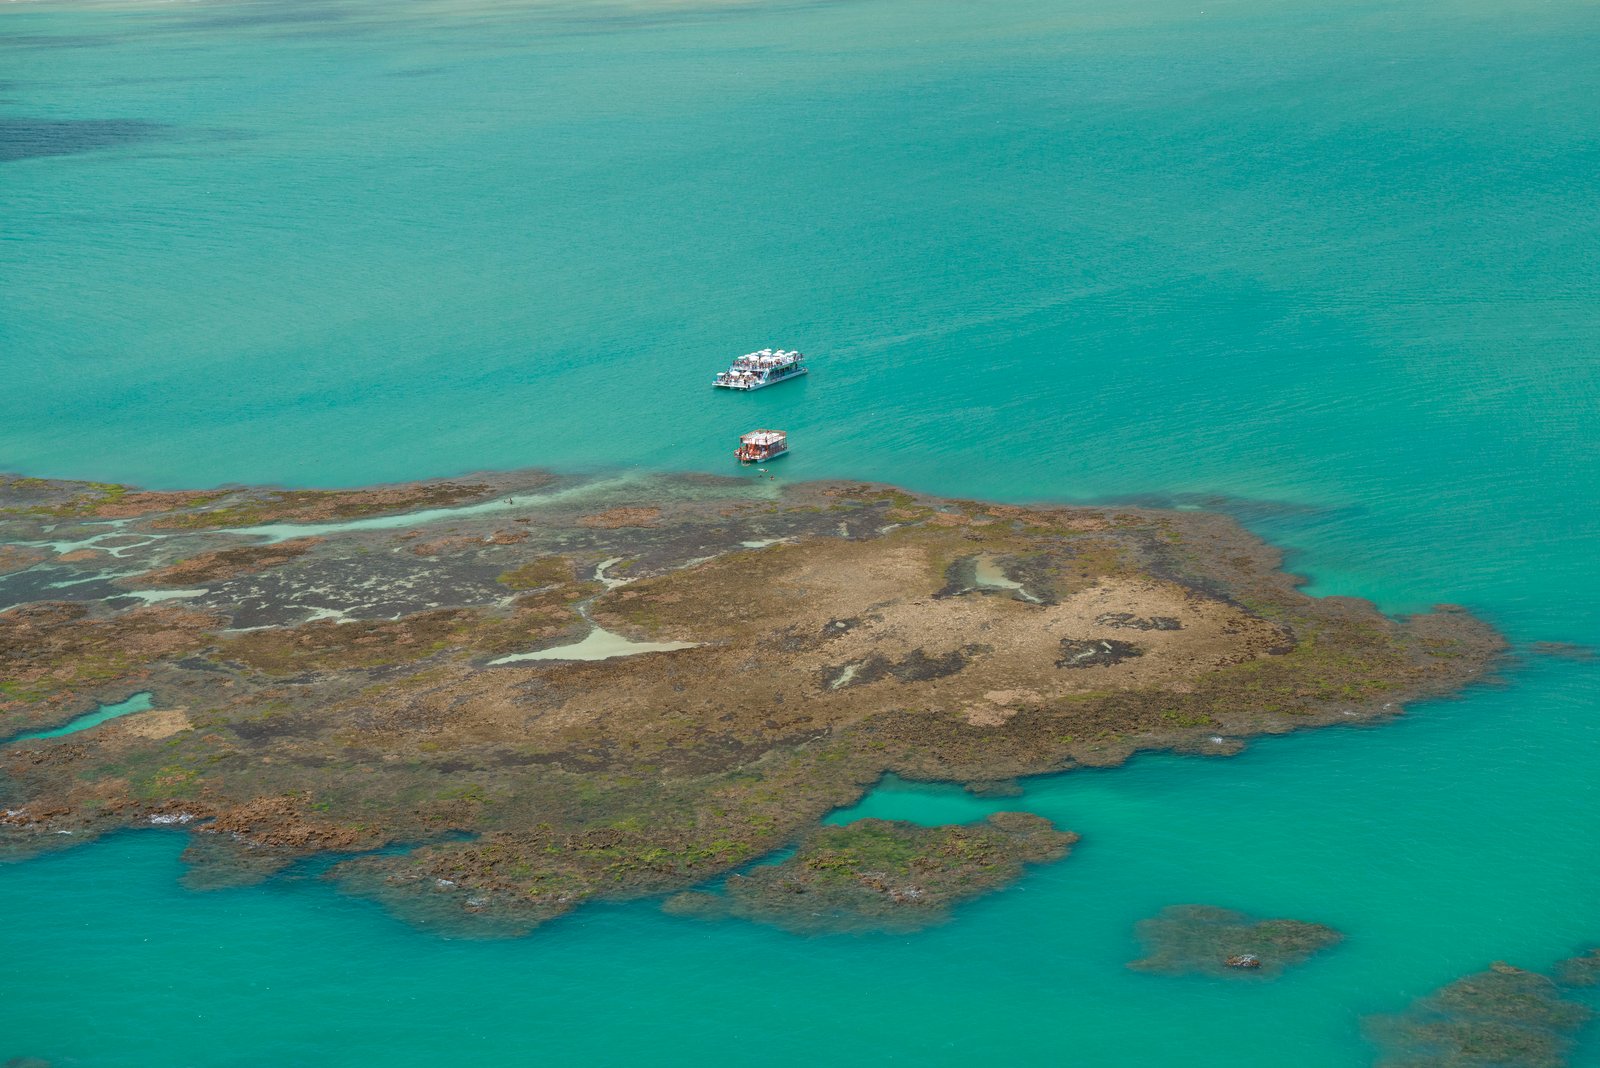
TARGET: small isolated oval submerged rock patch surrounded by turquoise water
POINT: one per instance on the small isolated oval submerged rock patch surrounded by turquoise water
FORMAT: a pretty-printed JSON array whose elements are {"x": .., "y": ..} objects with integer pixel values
[{"x": 1209, "y": 941}]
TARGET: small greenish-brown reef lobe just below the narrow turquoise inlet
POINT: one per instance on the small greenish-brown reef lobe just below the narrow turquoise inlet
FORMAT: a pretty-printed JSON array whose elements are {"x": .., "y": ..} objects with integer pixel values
[{"x": 884, "y": 875}]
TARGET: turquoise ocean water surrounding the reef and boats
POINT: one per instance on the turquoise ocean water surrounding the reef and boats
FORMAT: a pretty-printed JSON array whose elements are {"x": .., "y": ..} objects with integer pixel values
[{"x": 1329, "y": 266}]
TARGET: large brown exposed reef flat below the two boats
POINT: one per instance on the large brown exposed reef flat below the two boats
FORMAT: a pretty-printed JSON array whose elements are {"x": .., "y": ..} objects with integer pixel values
[{"x": 322, "y": 666}]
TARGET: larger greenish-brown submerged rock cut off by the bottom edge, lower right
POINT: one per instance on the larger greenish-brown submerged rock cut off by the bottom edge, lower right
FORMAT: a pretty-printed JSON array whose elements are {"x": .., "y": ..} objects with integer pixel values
[{"x": 1494, "y": 1019}]
